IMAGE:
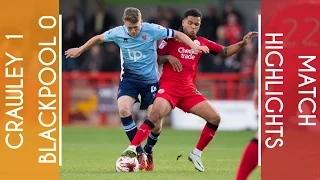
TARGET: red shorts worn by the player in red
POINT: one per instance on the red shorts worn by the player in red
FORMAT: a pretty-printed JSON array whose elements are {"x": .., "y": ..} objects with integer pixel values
[{"x": 182, "y": 97}]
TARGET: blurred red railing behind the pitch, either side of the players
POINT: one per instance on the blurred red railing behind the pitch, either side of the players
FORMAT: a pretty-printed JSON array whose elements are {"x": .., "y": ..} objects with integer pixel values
[{"x": 215, "y": 86}]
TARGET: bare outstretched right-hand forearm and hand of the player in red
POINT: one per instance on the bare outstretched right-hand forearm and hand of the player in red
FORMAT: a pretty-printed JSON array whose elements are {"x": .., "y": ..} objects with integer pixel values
[{"x": 235, "y": 48}]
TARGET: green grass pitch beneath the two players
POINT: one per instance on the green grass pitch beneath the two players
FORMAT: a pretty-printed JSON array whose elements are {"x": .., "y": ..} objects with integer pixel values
[{"x": 90, "y": 154}]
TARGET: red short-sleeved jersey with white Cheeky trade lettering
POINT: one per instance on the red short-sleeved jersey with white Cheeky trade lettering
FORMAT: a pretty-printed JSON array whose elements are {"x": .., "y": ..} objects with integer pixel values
[{"x": 189, "y": 60}]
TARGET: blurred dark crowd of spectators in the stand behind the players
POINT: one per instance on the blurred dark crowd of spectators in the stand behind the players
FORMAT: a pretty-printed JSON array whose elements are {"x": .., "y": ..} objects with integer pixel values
[{"x": 225, "y": 27}]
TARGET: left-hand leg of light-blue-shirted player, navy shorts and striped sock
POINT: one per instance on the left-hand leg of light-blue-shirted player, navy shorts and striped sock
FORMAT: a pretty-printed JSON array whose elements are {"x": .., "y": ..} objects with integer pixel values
[{"x": 127, "y": 94}]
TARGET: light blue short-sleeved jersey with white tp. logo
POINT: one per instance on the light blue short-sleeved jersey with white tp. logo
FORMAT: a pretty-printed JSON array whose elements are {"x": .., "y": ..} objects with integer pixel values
[{"x": 139, "y": 54}]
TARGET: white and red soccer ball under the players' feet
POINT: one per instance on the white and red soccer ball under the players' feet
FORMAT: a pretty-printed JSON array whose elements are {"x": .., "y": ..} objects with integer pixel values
[{"x": 127, "y": 164}]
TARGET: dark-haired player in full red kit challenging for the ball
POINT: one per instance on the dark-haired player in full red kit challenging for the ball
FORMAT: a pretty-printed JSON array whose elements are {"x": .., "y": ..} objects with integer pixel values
[{"x": 177, "y": 88}]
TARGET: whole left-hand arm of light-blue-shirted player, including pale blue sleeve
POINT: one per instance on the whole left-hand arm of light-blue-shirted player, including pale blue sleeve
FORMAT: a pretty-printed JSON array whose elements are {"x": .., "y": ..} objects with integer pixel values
[{"x": 108, "y": 36}]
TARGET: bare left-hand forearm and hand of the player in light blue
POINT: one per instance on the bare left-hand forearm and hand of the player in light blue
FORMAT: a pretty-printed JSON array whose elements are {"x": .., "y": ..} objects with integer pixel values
[{"x": 76, "y": 52}]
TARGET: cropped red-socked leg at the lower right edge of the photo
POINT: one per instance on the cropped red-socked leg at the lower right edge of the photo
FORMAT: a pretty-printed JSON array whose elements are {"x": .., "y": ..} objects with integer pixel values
[{"x": 249, "y": 159}]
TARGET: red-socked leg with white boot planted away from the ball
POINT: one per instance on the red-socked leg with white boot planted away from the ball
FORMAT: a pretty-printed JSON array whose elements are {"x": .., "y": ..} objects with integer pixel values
[{"x": 199, "y": 106}]
